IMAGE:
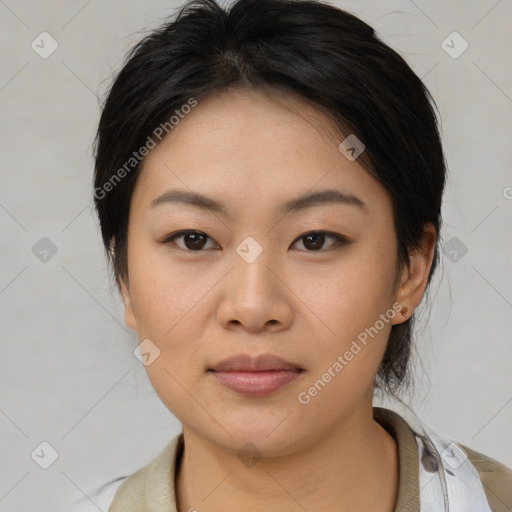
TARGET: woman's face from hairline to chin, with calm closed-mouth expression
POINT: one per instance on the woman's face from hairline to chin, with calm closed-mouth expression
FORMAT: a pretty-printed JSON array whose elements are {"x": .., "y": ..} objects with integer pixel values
[{"x": 251, "y": 279}]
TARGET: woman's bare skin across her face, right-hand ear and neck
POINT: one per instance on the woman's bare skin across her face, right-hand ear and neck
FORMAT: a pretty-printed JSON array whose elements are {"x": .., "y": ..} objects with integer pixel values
[{"x": 256, "y": 151}]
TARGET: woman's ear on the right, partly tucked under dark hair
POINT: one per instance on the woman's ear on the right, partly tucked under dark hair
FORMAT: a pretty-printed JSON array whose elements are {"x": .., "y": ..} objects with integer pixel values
[{"x": 415, "y": 275}]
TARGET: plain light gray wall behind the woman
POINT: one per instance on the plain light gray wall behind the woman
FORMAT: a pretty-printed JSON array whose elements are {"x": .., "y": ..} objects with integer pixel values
[{"x": 68, "y": 375}]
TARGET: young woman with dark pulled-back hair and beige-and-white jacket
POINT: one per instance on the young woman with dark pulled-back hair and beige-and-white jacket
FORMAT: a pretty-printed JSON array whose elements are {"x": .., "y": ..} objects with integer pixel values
[{"x": 269, "y": 182}]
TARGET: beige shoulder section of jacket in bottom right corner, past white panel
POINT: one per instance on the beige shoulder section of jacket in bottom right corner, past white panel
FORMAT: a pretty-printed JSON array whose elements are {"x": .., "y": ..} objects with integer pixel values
[{"x": 496, "y": 479}]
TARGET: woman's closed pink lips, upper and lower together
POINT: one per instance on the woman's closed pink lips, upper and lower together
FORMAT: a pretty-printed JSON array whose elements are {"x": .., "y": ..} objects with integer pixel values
[{"x": 255, "y": 376}]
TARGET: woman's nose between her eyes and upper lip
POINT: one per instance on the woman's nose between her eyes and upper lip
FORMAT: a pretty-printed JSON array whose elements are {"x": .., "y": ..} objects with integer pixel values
[{"x": 255, "y": 294}]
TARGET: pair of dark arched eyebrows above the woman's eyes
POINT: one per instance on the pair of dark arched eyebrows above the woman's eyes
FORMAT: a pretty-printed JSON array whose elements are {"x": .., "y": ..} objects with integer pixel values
[{"x": 328, "y": 196}]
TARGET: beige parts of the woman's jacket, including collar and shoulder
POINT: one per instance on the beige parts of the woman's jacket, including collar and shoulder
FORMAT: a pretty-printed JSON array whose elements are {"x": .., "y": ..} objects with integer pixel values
[{"x": 151, "y": 488}]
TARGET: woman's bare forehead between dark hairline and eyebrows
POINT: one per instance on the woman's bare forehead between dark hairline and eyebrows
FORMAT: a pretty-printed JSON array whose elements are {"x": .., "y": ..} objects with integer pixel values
[{"x": 250, "y": 148}]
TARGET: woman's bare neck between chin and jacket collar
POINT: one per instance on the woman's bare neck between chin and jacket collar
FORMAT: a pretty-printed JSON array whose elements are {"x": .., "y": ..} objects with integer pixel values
[{"x": 353, "y": 468}]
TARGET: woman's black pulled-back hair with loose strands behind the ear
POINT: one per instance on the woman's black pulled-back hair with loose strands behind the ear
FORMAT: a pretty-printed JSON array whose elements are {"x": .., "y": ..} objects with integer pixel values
[{"x": 325, "y": 55}]
